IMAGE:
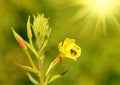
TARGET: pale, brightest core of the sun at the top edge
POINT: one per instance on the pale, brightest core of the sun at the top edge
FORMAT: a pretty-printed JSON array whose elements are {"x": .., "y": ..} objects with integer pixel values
[{"x": 101, "y": 6}]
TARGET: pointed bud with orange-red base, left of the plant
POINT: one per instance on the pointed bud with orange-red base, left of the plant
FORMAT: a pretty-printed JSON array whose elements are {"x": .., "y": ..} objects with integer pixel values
[{"x": 19, "y": 40}]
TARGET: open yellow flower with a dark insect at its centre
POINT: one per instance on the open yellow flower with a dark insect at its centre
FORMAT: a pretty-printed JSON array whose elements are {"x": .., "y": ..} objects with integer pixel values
[{"x": 69, "y": 49}]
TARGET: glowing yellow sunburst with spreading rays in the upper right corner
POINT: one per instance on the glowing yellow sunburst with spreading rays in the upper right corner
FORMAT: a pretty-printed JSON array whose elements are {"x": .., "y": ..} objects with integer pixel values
[{"x": 96, "y": 13}]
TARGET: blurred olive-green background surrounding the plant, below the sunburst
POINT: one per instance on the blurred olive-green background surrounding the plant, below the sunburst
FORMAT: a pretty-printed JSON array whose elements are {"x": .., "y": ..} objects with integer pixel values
[{"x": 99, "y": 63}]
